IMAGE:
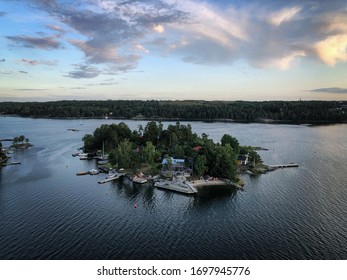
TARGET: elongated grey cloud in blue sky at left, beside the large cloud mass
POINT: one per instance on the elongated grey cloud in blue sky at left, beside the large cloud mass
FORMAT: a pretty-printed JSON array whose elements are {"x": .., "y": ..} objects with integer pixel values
[{"x": 46, "y": 43}]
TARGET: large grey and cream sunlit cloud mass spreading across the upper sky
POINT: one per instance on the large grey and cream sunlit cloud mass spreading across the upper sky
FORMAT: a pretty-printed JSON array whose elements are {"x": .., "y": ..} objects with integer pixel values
[{"x": 266, "y": 34}]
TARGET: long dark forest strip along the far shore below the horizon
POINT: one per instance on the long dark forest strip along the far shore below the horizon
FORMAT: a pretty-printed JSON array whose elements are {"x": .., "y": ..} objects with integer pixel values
[{"x": 283, "y": 111}]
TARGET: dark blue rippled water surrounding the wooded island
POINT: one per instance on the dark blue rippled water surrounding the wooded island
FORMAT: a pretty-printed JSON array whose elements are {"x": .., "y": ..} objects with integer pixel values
[{"x": 47, "y": 212}]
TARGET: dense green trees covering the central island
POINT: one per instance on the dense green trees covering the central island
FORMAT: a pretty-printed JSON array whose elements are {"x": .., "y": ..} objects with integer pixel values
[{"x": 149, "y": 145}]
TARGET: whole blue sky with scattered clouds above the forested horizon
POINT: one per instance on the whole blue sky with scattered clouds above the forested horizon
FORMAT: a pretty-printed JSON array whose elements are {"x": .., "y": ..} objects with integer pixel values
[{"x": 173, "y": 50}]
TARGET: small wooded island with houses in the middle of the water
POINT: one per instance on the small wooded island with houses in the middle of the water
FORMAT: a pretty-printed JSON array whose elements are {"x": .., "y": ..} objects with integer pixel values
[{"x": 171, "y": 153}]
